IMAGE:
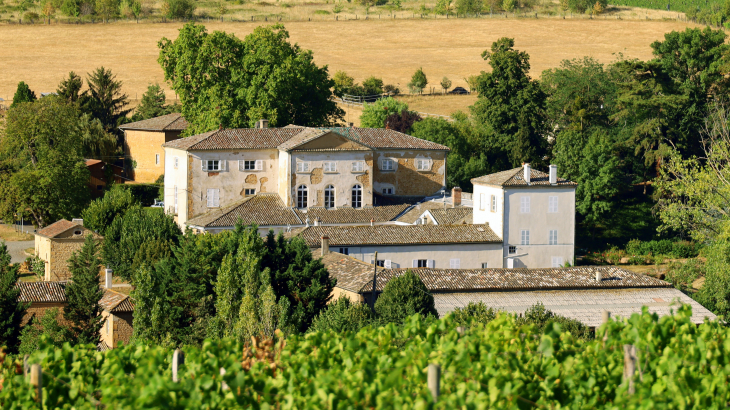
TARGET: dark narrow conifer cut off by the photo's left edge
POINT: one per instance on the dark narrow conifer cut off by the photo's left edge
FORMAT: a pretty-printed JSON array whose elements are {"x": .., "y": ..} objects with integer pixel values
[{"x": 11, "y": 310}]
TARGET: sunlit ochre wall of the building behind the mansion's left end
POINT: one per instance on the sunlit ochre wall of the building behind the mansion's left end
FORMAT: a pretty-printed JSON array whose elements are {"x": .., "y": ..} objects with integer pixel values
[{"x": 143, "y": 147}]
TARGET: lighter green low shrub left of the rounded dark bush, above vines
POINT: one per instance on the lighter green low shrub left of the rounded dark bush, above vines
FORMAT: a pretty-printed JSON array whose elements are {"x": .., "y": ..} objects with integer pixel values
[{"x": 342, "y": 316}]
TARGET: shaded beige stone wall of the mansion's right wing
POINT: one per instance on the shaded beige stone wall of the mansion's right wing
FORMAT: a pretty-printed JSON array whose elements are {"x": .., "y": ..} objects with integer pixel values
[{"x": 405, "y": 179}]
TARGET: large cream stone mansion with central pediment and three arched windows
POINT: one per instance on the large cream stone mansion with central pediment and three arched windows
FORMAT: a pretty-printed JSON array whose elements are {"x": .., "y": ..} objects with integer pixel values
[{"x": 307, "y": 168}]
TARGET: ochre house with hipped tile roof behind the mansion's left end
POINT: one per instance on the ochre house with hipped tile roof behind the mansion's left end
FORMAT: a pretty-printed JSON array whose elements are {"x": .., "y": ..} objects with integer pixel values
[{"x": 143, "y": 144}]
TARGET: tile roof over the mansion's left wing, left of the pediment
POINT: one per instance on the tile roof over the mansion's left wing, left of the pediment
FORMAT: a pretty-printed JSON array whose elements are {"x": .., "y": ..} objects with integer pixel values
[{"x": 241, "y": 138}]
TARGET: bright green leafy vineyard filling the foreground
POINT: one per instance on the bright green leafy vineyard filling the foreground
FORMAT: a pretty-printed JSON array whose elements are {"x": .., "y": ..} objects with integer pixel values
[{"x": 497, "y": 365}]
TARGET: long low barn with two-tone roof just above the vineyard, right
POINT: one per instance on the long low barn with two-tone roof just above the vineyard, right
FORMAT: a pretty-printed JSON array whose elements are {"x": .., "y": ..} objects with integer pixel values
[{"x": 581, "y": 293}]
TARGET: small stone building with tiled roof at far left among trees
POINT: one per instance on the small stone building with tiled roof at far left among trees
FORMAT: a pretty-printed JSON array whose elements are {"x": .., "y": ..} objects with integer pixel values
[{"x": 57, "y": 242}]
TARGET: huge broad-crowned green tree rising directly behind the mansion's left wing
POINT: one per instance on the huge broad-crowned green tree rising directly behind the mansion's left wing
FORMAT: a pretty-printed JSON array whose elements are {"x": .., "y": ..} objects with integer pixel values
[{"x": 224, "y": 81}]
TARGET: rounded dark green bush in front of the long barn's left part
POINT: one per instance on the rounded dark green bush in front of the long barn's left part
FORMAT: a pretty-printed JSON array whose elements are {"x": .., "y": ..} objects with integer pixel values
[{"x": 402, "y": 297}]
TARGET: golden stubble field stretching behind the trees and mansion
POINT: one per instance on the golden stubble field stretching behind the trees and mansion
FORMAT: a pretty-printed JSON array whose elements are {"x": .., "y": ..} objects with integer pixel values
[{"x": 392, "y": 50}]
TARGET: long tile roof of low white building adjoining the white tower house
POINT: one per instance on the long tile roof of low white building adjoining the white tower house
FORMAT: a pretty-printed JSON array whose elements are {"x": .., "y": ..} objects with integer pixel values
[{"x": 397, "y": 234}]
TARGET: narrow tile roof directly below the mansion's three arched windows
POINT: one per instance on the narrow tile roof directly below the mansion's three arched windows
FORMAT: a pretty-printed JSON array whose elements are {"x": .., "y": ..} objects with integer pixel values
[{"x": 351, "y": 215}]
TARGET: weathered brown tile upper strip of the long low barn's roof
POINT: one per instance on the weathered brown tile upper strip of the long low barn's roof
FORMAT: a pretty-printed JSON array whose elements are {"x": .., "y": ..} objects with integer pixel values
[{"x": 580, "y": 277}]
